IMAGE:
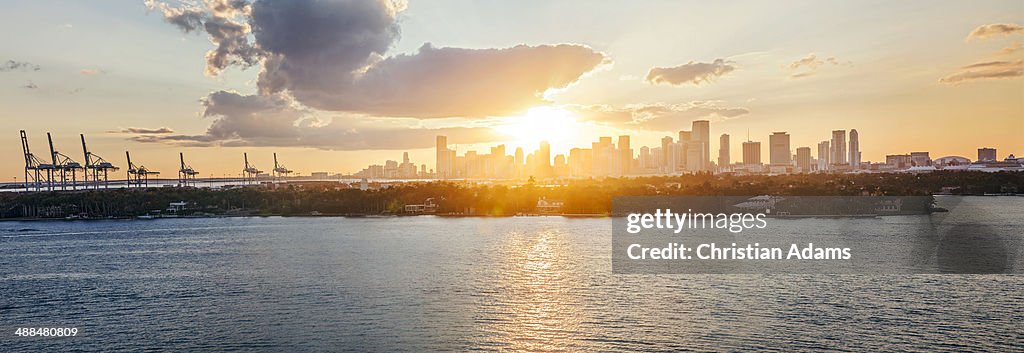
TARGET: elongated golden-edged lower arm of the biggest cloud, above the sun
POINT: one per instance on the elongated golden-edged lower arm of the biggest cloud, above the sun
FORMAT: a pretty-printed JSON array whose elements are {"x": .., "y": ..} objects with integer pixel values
[{"x": 449, "y": 82}]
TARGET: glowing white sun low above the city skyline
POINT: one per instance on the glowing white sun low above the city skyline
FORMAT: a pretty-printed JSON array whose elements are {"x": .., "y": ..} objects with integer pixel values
[{"x": 551, "y": 124}]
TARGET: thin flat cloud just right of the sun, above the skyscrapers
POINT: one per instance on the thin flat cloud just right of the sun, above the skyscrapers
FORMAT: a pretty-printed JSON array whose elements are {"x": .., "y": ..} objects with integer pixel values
[{"x": 656, "y": 117}]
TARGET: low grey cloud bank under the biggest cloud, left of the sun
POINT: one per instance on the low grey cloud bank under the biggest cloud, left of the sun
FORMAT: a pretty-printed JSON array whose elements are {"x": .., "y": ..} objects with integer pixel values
[{"x": 279, "y": 121}]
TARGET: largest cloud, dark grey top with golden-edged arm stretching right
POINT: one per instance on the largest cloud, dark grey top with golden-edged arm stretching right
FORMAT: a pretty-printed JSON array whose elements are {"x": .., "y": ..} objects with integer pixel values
[{"x": 332, "y": 56}]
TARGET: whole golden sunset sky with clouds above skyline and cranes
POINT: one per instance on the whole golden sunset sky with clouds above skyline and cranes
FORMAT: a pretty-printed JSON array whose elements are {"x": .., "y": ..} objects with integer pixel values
[{"x": 338, "y": 85}]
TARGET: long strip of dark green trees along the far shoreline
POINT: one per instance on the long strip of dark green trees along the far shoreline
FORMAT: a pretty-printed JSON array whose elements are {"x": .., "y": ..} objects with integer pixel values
[{"x": 579, "y": 197}]
